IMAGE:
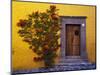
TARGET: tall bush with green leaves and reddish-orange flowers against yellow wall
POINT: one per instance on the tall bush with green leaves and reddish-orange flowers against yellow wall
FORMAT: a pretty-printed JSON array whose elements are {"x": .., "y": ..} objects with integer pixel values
[{"x": 40, "y": 31}]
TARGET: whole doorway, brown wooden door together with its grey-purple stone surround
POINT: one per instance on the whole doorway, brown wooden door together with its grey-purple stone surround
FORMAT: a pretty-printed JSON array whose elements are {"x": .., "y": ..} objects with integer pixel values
[{"x": 73, "y": 37}]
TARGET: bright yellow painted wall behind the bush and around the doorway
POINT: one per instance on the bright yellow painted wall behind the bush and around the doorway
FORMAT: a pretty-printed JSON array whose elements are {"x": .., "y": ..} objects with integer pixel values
[{"x": 22, "y": 56}]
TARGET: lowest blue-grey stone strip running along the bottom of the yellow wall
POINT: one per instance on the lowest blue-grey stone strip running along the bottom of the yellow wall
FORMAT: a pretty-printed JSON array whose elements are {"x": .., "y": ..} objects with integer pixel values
[{"x": 63, "y": 67}]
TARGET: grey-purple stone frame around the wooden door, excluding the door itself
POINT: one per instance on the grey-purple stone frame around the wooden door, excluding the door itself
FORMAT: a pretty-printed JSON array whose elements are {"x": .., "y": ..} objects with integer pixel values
[{"x": 80, "y": 20}]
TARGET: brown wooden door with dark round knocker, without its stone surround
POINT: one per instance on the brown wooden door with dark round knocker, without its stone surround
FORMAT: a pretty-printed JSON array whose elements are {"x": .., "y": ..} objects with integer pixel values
[{"x": 72, "y": 40}]
